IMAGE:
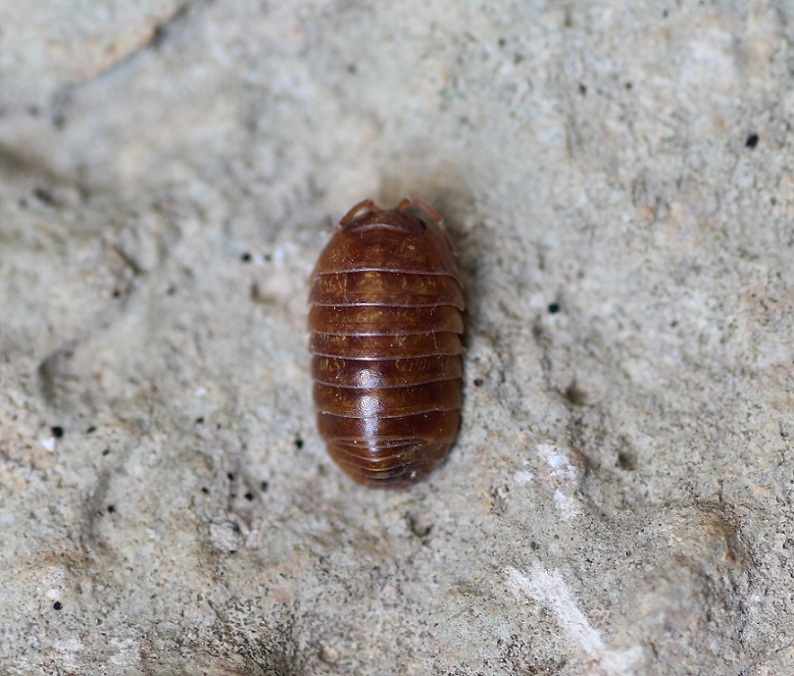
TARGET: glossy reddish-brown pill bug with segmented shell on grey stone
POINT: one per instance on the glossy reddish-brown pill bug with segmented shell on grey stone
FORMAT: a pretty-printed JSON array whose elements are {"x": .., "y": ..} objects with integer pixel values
[{"x": 385, "y": 321}]
